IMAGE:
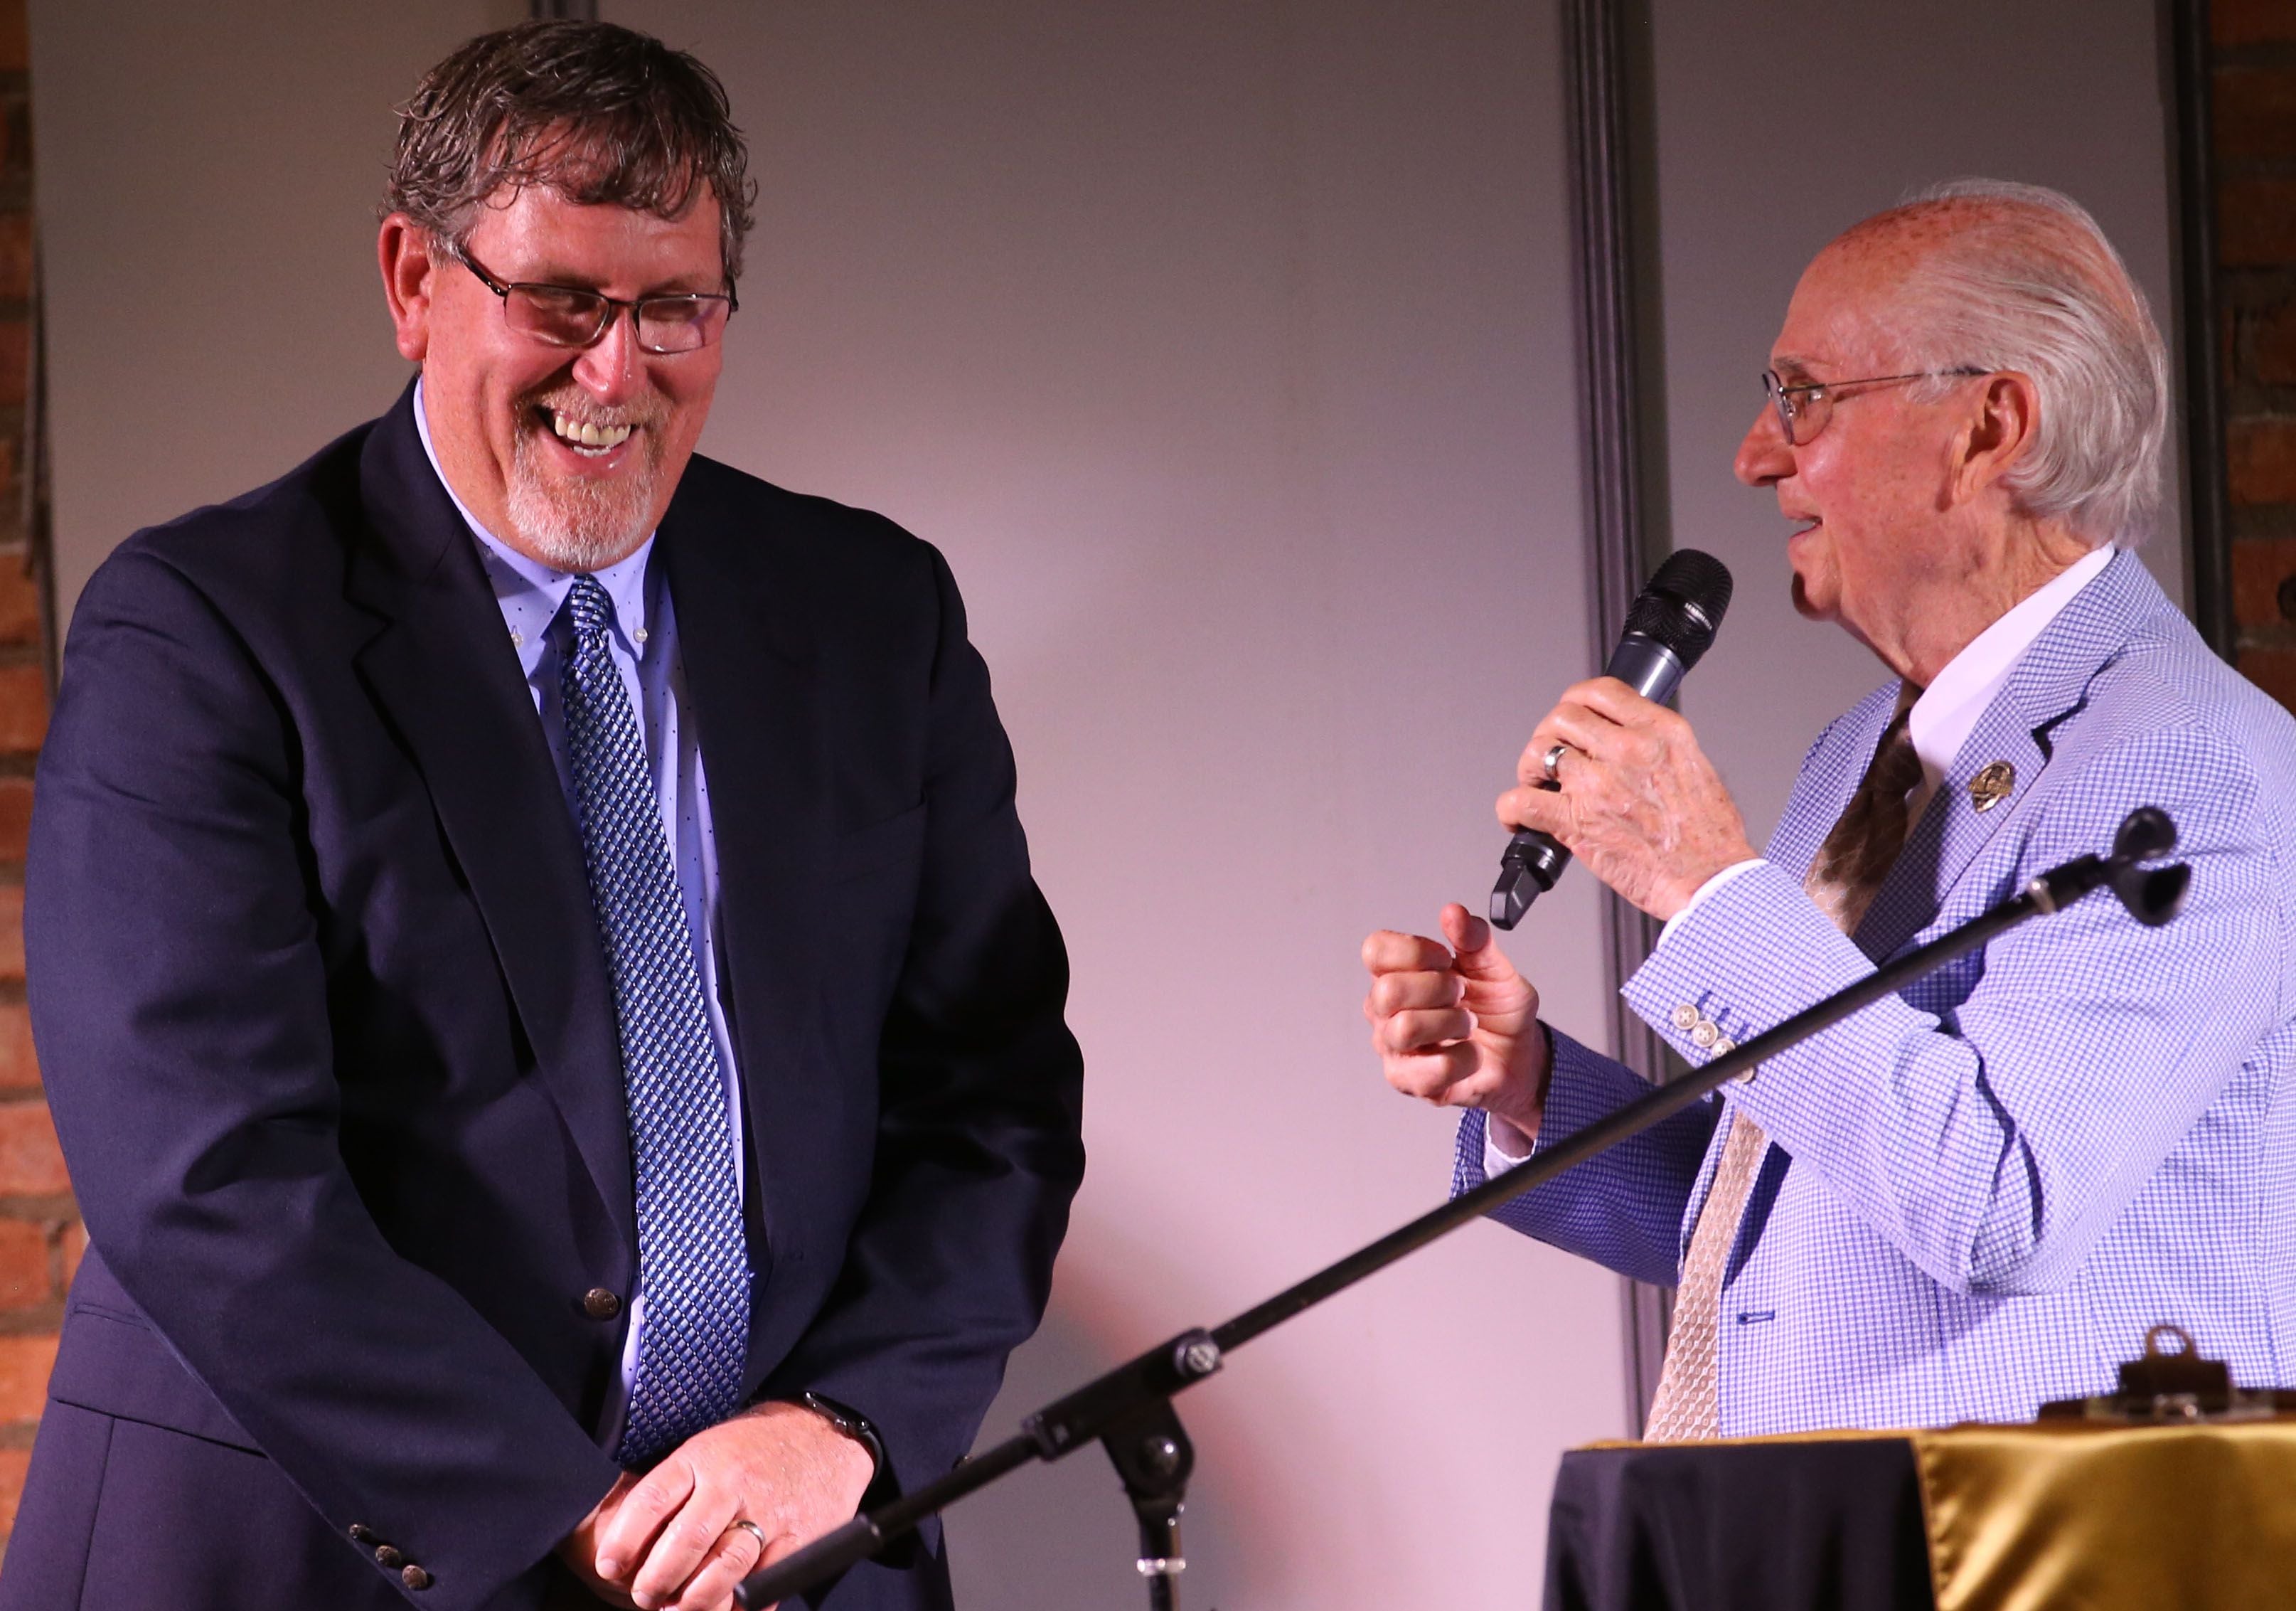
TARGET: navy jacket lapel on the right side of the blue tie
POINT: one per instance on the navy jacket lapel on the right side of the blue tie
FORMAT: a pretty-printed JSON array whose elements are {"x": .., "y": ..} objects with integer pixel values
[{"x": 754, "y": 695}]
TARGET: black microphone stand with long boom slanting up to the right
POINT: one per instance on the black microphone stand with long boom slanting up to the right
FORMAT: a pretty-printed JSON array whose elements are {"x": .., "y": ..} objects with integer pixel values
[{"x": 1131, "y": 1410}]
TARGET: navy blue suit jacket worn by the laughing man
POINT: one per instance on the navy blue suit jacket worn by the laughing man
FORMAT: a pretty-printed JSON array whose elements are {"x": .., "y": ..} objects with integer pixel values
[{"x": 327, "y": 1033}]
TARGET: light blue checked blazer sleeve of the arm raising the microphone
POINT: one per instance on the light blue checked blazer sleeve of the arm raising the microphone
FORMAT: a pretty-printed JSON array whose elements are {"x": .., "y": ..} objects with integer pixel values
[{"x": 1999, "y": 1143}]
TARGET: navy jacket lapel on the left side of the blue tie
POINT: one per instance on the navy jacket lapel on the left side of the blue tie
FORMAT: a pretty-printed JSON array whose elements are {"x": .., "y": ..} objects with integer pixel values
[{"x": 451, "y": 686}]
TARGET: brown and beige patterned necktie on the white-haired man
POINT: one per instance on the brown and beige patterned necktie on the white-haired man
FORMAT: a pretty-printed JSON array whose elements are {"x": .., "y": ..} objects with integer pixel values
[{"x": 1845, "y": 879}]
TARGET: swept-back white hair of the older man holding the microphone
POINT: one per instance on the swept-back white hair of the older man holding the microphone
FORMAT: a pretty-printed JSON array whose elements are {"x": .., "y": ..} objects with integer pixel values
[{"x": 2026, "y": 282}]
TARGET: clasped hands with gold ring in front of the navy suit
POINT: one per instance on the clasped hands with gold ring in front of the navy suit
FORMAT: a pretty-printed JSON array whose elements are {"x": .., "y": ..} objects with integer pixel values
[{"x": 672, "y": 1539}]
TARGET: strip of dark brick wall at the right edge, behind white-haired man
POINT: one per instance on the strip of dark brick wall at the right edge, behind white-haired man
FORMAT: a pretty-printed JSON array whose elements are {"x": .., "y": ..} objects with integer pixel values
[{"x": 2254, "y": 86}]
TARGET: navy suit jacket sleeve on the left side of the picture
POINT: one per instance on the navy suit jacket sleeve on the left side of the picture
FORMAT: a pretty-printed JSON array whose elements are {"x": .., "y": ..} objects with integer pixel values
[{"x": 183, "y": 1022}]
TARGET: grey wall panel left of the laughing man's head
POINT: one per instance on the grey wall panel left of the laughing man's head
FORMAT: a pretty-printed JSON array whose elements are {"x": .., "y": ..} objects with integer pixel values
[{"x": 208, "y": 183}]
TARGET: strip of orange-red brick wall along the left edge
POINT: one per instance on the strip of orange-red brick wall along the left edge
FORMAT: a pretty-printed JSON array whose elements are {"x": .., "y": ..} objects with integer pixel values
[{"x": 40, "y": 1231}]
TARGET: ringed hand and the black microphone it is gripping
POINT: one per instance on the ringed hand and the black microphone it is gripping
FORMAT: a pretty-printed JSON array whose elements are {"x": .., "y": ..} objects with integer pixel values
[{"x": 1620, "y": 780}]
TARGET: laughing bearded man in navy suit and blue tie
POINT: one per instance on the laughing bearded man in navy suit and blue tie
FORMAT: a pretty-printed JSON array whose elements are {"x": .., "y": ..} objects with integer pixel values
[{"x": 534, "y": 955}]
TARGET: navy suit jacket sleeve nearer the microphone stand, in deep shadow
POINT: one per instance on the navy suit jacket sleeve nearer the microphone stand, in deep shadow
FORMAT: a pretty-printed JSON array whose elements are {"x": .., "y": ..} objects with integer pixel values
[{"x": 979, "y": 1143}]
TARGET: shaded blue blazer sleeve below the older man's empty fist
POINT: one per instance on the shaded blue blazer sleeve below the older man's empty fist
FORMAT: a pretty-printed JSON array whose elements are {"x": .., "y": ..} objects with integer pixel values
[{"x": 1622, "y": 1208}]
